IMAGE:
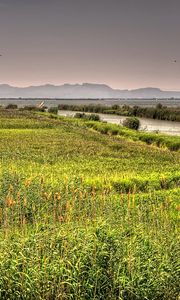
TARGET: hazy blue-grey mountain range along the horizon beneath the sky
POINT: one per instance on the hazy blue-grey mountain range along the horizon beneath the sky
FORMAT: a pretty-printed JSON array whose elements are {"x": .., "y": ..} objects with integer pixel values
[{"x": 85, "y": 90}]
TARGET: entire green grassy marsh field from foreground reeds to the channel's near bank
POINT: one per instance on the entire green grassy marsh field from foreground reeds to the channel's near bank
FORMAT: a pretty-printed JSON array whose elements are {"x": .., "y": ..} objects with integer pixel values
[{"x": 87, "y": 213}]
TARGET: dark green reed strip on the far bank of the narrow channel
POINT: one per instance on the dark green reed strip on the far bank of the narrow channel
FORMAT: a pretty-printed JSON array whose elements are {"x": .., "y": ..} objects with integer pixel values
[{"x": 159, "y": 112}]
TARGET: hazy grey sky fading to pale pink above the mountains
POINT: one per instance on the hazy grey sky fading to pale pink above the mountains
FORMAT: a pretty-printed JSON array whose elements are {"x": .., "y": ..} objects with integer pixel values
[{"x": 123, "y": 43}]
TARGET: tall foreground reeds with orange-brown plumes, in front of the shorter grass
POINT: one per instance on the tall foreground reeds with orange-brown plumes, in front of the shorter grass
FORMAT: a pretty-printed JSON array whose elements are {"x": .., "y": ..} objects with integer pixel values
[{"x": 80, "y": 244}]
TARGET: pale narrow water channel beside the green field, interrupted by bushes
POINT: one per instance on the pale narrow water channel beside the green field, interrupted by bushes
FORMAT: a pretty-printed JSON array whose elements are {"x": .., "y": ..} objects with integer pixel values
[{"x": 150, "y": 125}]
